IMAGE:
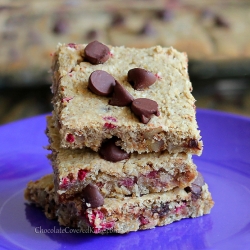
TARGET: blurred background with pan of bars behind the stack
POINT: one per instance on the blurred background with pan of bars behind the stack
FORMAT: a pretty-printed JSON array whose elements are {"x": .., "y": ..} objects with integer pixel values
[{"x": 214, "y": 34}]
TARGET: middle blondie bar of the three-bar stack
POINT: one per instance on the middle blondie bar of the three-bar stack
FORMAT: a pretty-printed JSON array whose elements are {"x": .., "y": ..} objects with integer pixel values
[{"x": 138, "y": 175}]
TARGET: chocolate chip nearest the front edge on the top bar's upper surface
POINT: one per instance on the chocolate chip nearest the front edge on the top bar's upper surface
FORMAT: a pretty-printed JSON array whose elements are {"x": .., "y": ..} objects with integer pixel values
[{"x": 145, "y": 108}]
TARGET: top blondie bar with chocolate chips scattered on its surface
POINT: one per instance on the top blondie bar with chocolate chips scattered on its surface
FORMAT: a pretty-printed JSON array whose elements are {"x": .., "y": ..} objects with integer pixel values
[{"x": 150, "y": 109}]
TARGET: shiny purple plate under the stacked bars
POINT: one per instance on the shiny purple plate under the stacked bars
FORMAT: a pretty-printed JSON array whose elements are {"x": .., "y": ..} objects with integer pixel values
[{"x": 225, "y": 164}]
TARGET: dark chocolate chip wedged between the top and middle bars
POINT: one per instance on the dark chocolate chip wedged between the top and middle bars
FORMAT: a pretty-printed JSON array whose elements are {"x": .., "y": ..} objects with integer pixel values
[{"x": 110, "y": 152}]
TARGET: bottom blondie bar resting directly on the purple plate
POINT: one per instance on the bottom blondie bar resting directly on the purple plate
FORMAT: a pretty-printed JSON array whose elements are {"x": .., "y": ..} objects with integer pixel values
[{"x": 121, "y": 215}]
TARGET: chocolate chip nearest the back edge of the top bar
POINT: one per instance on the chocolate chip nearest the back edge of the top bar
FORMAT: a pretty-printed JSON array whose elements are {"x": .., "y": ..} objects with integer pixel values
[{"x": 96, "y": 53}]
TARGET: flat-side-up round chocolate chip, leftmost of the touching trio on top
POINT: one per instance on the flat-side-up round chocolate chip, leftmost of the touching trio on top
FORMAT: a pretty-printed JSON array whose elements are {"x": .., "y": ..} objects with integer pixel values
[{"x": 101, "y": 83}]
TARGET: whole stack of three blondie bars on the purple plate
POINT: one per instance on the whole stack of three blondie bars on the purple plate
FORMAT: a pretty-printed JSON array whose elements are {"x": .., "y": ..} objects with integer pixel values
[{"x": 122, "y": 135}]
